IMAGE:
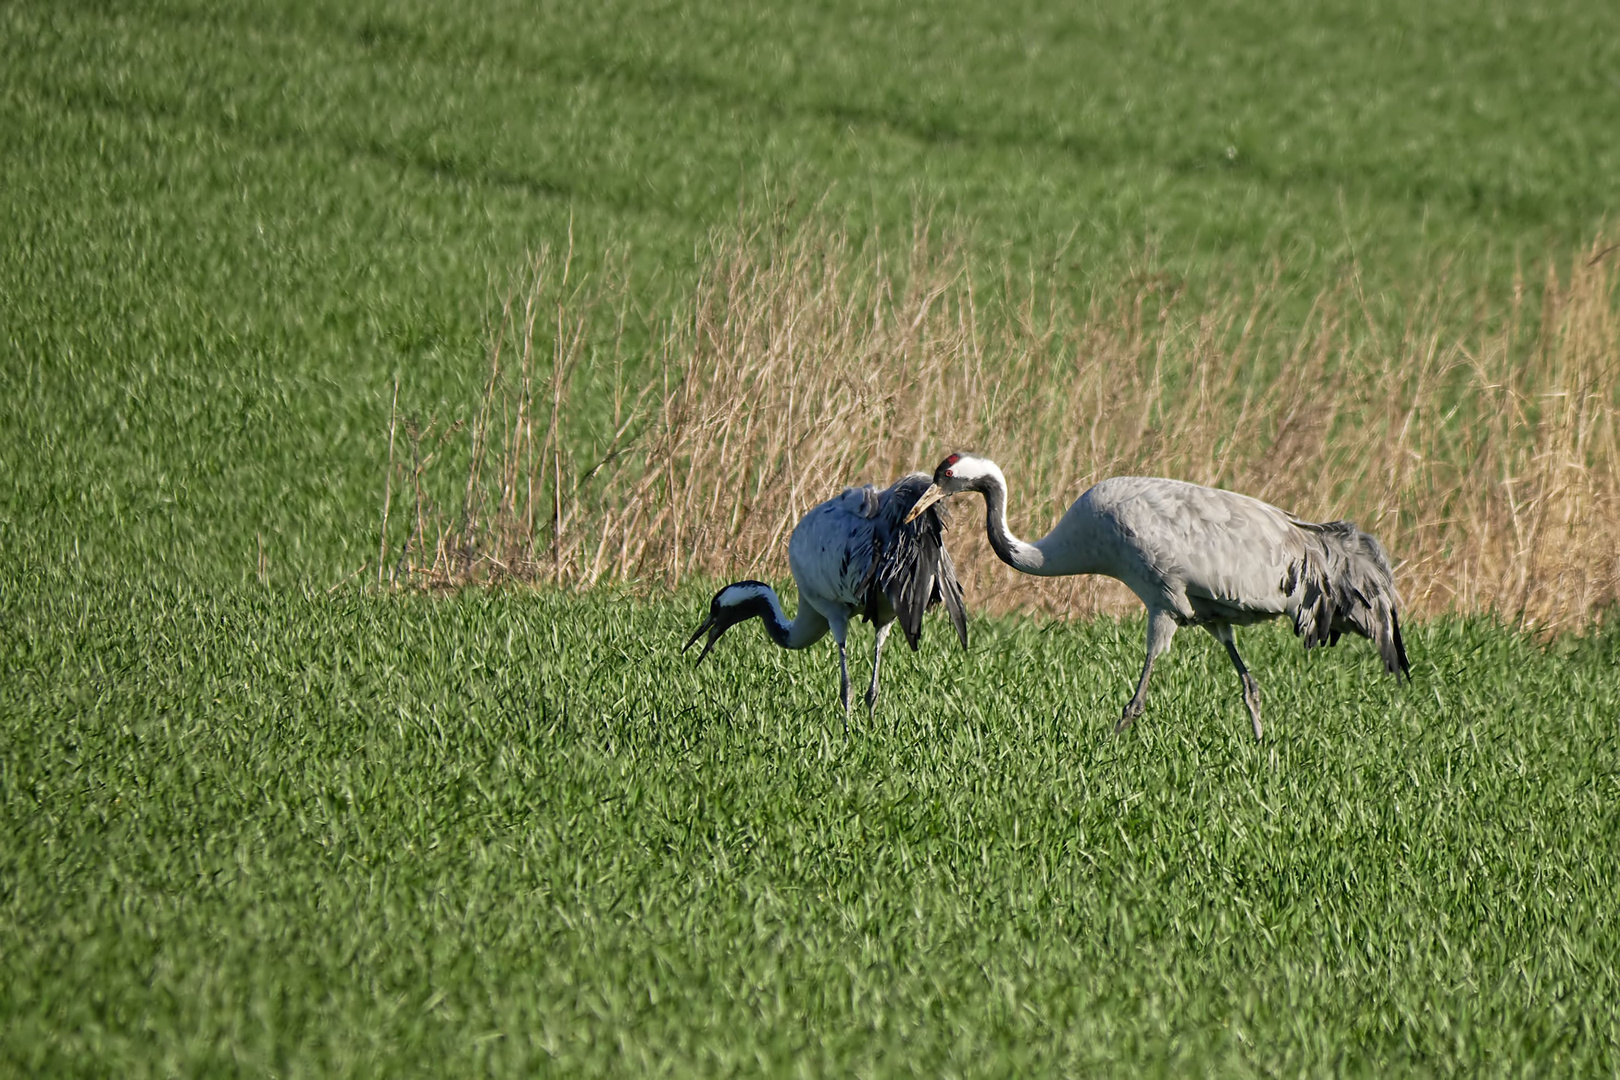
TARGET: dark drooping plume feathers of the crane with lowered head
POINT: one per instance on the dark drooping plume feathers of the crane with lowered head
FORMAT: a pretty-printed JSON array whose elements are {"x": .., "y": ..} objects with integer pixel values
[{"x": 913, "y": 568}]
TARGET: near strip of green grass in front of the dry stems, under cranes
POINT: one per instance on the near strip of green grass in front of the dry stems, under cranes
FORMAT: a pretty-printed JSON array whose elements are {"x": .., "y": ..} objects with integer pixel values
[{"x": 367, "y": 836}]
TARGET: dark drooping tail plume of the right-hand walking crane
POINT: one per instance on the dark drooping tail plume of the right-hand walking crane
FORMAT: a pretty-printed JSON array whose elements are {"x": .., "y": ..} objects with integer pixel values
[{"x": 1349, "y": 587}]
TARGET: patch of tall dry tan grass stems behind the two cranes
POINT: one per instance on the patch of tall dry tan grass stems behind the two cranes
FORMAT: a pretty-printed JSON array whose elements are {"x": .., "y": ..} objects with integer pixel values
[{"x": 1486, "y": 457}]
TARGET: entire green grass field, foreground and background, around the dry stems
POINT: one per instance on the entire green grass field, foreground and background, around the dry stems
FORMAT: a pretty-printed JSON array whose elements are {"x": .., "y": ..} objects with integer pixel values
[{"x": 257, "y": 825}]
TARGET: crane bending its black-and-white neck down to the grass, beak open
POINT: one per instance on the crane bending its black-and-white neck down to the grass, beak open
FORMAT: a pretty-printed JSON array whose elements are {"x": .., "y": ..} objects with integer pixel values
[{"x": 864, "y": 553}]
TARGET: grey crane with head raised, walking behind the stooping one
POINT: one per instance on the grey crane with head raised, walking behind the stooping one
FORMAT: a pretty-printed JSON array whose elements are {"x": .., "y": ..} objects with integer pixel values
[{"x": 1201, "y": 558}]
